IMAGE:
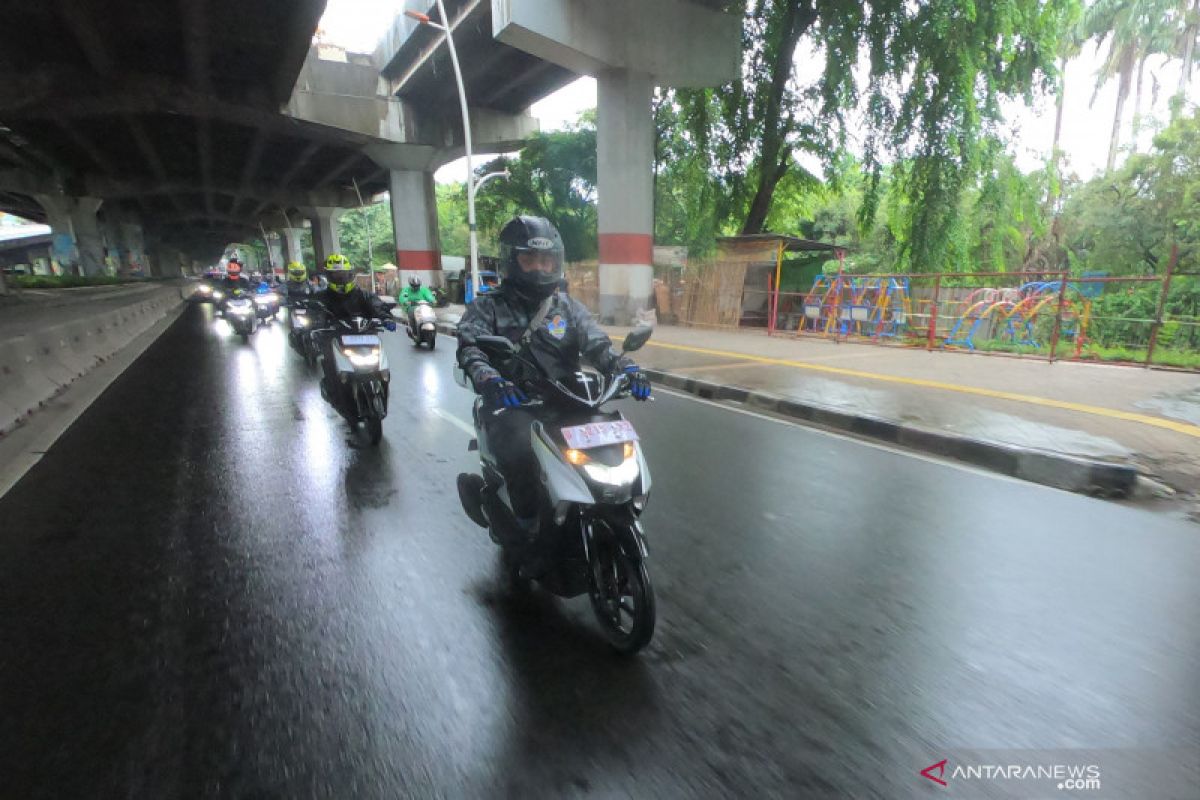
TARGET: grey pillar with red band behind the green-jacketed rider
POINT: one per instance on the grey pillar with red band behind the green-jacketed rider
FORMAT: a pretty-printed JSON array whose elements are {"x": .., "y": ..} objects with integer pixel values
[{"x": 415, "y": 222}]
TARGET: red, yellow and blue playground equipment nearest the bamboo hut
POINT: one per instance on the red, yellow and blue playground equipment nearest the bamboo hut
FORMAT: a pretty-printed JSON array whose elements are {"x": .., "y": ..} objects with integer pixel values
[{"x": 845, "y": 305}]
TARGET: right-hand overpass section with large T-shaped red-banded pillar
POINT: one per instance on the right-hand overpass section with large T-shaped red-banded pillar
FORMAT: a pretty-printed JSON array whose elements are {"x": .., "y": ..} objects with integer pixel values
[{"x": 517, "y": 52}]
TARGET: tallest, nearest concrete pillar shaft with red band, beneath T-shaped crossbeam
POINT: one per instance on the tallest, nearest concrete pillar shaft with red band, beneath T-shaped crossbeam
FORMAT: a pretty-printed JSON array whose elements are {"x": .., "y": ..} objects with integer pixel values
[{"x": 626, "y": 178}]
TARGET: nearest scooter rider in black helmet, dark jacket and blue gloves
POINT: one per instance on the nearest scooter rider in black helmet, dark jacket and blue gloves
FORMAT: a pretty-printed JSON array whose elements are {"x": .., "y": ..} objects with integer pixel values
[{"x": 551, "y": 329}]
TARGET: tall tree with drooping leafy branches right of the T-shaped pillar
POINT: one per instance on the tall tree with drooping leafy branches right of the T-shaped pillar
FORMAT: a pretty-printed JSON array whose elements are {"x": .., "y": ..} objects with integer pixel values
[{"x": 937, "y": 74}]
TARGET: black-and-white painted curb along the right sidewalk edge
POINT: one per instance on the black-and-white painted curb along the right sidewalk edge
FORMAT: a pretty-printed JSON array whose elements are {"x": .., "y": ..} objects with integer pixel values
[{"x": 1059, "y": 471}]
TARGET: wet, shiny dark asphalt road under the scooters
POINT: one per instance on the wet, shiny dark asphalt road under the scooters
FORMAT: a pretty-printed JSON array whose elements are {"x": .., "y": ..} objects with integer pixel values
[{"x": 207, "y": 592}]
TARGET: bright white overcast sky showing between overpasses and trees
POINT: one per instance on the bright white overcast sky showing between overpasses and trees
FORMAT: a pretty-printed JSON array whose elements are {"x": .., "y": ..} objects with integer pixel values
[{"x": 358, "y": 25}]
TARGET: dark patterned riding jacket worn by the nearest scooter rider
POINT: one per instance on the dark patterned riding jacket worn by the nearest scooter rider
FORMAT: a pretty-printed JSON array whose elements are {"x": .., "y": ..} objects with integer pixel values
[{"x": 566, "y": 336}]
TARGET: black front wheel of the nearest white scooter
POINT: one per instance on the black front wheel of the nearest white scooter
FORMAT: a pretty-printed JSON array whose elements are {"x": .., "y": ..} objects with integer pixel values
[{"x": 622, "y": 598}]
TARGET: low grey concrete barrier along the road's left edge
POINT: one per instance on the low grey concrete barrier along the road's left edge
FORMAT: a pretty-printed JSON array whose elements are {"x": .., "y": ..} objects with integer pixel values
[{"x": 41, "y": 363}]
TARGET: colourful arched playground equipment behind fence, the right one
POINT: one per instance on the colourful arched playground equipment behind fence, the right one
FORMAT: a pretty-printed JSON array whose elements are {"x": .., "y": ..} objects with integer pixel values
[{"x": 1012, "y": 315}]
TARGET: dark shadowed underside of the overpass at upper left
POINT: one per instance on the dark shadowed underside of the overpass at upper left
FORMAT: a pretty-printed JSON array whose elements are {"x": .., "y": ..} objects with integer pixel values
[{"x": 169, "y": 110}]
